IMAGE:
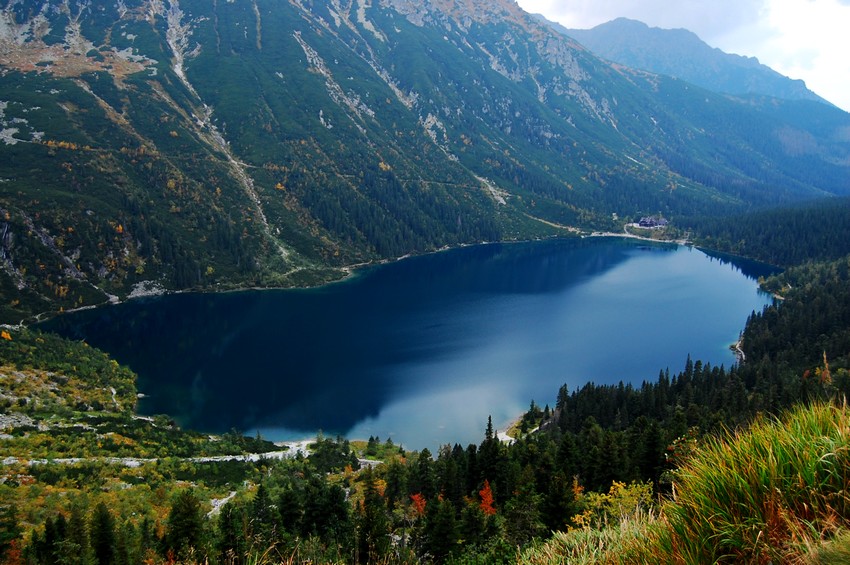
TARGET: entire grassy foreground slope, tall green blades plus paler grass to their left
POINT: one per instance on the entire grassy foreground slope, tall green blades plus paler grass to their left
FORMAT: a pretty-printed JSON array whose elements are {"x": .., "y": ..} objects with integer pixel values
[{"x": 774, "y": 493}]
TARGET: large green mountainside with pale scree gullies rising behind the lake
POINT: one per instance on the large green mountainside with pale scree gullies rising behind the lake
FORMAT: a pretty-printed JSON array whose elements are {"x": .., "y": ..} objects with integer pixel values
[{"x": 165, "y": 144}]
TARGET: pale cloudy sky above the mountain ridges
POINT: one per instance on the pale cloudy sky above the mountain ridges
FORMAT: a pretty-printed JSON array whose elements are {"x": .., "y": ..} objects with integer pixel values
[{"x": 802, "y": 39}]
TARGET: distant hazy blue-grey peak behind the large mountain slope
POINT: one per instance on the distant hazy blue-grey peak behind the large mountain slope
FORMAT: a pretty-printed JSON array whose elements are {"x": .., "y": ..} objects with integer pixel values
[{"x": 680, "y": 53}]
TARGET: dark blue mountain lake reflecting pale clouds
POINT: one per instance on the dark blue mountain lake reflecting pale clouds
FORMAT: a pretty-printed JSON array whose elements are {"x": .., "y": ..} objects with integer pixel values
[{"x": 423, "y": 350}]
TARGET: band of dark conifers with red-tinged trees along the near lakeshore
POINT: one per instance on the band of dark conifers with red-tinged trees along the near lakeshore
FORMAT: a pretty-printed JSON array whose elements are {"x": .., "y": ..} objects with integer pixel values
[{"x": 480, "y": 502}]
